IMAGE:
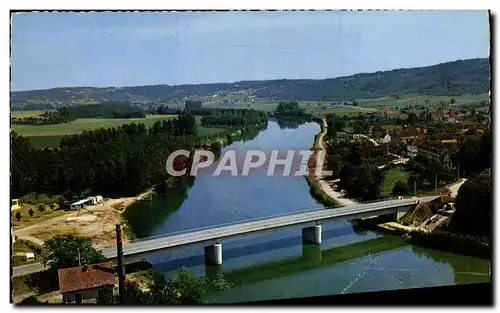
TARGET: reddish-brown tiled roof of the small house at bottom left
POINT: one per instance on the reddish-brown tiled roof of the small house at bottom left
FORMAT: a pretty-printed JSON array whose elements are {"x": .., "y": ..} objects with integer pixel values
[{"x": 86, "y": 277}]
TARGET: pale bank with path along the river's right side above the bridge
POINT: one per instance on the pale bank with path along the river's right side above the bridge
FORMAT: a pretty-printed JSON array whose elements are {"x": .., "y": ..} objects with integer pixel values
[{"x": 321, "y": 188}]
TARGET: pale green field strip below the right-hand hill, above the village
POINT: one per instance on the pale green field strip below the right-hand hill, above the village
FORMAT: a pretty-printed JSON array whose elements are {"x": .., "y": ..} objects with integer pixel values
[{"x": 420, "y": 99}]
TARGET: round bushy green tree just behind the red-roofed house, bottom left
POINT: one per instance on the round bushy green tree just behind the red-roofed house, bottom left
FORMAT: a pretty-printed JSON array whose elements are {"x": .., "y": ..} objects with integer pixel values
[{"x": 62, "y": 252}]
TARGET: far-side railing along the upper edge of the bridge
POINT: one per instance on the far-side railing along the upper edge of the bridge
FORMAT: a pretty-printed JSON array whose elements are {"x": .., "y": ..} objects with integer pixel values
[{"x": 256, "y": 219}]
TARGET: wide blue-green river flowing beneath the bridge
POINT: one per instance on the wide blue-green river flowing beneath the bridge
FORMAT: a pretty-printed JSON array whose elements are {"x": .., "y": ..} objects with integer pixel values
[{"x": 277, "y": 265}]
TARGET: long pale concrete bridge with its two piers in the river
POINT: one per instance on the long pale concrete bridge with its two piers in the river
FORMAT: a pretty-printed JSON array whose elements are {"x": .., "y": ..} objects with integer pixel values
[{"x": 310, "y": 221}]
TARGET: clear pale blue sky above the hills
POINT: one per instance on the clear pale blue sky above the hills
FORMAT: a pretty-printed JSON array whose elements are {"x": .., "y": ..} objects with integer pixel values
[{"x": 116, "y": 49}]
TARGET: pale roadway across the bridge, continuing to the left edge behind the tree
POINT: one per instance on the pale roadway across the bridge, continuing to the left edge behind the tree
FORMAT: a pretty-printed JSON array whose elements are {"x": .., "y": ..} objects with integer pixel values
[{"x": 213, "y": 234}]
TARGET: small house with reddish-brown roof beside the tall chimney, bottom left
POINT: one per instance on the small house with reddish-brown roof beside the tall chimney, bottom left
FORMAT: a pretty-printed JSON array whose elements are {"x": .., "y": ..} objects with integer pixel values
[{"x": 88, "y": 283}]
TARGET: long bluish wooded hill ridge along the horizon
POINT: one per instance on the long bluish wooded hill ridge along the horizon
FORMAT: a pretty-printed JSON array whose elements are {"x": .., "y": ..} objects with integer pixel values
[{"x": 451, "y": 78}]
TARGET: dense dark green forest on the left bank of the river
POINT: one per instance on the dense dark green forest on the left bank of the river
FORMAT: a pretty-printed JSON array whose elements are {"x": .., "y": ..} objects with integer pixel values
[{"x": 114, "y": 161}]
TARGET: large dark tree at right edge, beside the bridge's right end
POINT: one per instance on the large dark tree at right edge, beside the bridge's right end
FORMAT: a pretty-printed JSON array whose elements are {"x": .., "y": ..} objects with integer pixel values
[{"x": 474, "y": 206}]
